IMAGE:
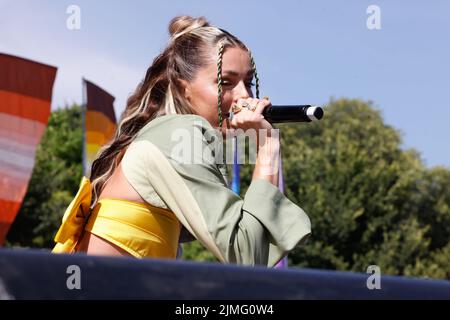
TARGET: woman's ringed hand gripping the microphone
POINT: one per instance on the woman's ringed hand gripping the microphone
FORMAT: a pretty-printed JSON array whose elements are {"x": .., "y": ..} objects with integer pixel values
[{"x": 246, "y": 119}]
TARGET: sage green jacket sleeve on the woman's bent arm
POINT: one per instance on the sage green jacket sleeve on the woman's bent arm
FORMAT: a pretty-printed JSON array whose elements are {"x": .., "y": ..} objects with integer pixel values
[{"x": 259, "y": 229}]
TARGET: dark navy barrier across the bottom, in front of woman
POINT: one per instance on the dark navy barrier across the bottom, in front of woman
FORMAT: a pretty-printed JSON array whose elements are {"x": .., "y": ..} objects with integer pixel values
[{"x": 34, "y": 274}]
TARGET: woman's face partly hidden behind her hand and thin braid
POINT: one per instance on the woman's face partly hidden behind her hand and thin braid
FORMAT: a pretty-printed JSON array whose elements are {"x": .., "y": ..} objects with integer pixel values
[{"x": 237, "y": 76}]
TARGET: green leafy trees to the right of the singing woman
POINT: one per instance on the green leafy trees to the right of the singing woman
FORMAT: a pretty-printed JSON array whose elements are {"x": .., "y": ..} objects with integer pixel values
[{"x": 370, "y": 201}]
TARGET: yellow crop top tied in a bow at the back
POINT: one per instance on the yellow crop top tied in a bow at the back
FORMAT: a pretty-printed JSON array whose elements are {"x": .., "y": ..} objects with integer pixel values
[{"x": 138, "y": 228}]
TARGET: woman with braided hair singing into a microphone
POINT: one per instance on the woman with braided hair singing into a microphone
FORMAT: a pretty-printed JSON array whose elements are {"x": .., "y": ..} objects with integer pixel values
[{"x": 158, "y": 182}]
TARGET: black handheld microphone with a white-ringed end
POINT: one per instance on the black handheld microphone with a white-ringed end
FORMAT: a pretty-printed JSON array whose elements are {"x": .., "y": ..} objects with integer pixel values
[{"x": 293, "y": 113}]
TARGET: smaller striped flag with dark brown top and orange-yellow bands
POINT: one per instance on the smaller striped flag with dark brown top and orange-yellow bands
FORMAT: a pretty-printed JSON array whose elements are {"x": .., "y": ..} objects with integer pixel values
[{"x": 99, "y": 121}]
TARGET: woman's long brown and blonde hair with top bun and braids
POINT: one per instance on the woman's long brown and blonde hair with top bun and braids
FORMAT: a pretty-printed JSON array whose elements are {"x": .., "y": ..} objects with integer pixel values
[{"x": 159, "y": 93}]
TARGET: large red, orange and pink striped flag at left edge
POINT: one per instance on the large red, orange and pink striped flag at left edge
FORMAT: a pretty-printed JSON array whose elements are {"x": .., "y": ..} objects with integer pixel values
[{"x": 25, "y": 99}]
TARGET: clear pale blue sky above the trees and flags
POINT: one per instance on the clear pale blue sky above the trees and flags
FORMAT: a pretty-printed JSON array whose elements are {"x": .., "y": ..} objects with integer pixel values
[{"x": 306, "y": 52}]
